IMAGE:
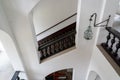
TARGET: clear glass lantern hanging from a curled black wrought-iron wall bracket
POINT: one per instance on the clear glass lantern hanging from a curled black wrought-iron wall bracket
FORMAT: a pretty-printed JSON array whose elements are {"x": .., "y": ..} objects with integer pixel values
[{"x": 88, "y": 34}]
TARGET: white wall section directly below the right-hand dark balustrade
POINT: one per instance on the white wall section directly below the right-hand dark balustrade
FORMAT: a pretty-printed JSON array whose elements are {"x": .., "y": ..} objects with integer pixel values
[{"x": 100, "y": 65}]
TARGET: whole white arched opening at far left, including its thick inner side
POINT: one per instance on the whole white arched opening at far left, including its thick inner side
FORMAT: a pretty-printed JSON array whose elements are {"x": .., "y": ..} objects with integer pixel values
[{"x": 11, "y": 61}]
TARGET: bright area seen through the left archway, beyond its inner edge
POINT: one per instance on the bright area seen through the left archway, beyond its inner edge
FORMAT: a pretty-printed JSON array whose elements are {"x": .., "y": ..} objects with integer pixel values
[{"x": 6, "y": 69}]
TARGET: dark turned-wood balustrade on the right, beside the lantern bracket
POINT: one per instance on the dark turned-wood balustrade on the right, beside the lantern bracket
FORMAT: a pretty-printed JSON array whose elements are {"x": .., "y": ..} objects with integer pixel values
[{"x": 112, "y": 45}]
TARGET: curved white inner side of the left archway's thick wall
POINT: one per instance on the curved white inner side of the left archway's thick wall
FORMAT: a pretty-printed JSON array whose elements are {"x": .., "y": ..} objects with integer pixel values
[{"x": 11, "y": 50}]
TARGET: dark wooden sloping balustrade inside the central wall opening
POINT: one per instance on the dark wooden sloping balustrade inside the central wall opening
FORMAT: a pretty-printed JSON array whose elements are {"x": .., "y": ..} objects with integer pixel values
[{"x": 57, "y": 42}]
